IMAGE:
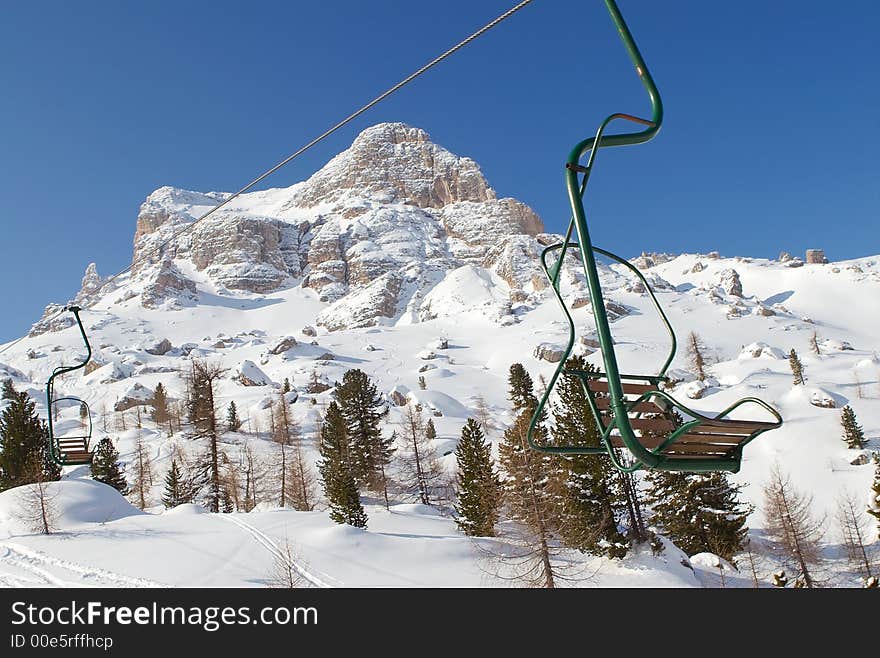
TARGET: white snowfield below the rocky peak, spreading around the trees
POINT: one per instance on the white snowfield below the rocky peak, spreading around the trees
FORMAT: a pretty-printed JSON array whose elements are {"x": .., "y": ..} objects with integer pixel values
[{"x": 104, "y": 541}]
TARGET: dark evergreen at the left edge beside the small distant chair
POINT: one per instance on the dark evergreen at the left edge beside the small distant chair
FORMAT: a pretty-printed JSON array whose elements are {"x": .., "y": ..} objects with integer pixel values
[{"x": 24, "y": 445}]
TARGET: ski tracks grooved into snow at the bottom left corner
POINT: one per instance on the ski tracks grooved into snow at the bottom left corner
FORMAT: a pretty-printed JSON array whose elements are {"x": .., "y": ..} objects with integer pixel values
[{"x": 33, "y": 561}]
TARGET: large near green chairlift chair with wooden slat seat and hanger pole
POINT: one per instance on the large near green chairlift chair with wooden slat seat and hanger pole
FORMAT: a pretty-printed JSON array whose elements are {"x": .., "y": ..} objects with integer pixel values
[{"x": 698, "y": 427}]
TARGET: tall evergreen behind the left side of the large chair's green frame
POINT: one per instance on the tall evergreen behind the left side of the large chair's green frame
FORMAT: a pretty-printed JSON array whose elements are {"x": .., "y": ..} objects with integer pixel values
[{"x": 587, "y": 501}]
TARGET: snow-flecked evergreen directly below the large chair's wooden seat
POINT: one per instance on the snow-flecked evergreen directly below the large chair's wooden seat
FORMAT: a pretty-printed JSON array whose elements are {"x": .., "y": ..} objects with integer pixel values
[{"x": 699, "y": 511}]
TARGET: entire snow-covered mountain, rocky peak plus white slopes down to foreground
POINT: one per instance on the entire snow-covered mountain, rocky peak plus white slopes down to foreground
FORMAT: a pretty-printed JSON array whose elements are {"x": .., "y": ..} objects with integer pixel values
[{"x": 416, "y": 270}]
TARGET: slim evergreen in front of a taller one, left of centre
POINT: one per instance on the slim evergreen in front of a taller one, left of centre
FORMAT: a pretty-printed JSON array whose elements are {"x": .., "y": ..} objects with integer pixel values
[{"x": 340, "y": 486}]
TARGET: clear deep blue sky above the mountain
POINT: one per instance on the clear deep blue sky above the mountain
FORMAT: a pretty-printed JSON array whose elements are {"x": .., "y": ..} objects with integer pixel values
[{"x": 770, "y": 140}]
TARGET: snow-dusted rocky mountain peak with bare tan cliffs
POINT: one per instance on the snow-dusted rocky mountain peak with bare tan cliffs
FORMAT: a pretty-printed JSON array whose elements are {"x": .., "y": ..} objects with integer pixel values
[{"x": 371, "y": 233}]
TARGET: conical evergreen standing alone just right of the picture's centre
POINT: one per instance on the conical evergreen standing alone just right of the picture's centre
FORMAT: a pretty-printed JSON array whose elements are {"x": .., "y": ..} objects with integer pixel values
[{"x": 478, "y": 486}]
